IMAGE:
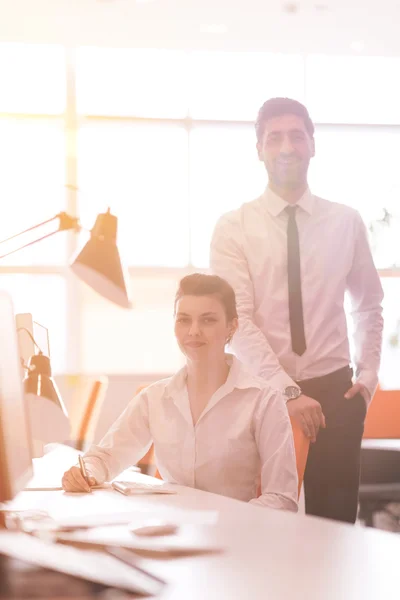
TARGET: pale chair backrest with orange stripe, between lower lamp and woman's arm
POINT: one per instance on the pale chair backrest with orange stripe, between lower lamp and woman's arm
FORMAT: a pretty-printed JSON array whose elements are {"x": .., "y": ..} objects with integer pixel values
[{"x": 85, "y": 407}]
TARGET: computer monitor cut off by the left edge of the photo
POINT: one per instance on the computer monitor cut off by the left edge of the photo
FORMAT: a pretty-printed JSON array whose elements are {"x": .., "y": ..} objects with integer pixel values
[{"x": 15, "y": 439}]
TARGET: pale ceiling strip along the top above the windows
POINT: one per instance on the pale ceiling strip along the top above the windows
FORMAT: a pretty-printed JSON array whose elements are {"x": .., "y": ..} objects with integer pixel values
[{"x": 367, "y": 27}]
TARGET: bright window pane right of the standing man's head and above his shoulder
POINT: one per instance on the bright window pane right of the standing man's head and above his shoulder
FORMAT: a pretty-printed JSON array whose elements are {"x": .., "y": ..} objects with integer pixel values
[{"x": 356, "y": 166}]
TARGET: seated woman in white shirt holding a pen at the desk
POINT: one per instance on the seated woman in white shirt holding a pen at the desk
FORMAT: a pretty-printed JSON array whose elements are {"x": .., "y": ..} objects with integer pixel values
[{"x": 214, "y": 426}]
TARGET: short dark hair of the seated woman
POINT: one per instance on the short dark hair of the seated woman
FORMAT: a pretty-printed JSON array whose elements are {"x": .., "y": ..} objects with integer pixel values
[{"x": 199, "y": 284}]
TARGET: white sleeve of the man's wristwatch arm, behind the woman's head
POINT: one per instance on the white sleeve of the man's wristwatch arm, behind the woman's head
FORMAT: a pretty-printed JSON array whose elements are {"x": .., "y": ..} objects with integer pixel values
[{"x": 228, "y": 260}]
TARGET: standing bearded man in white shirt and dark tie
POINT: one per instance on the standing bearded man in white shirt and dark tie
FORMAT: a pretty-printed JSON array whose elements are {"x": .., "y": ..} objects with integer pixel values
[{"x": 290, "y": 257}]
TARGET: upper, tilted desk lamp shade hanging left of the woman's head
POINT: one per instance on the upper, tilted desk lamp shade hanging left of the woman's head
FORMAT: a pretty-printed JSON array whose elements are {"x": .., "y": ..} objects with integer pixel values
[{"x": 99, "y": 265}]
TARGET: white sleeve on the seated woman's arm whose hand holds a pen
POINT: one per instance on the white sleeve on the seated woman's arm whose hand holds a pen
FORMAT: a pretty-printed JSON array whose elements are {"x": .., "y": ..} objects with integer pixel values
[{"x": 127, "y": 440}]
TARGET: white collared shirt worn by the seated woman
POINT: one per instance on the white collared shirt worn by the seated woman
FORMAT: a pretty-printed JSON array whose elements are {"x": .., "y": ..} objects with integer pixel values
[{"x": 243, "y": 432}]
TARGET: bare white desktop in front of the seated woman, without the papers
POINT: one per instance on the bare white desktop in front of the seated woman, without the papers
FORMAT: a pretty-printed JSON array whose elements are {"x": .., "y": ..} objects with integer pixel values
[{"x": 268, "y": 554}]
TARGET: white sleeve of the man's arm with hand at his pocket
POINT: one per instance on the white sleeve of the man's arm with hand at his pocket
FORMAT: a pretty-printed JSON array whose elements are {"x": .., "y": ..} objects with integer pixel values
[{"x": 366, "y": 294}]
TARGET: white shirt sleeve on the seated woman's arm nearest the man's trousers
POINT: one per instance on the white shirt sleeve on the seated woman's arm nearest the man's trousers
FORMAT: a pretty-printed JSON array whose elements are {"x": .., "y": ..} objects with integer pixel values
[{"x": 274, "y": 438}]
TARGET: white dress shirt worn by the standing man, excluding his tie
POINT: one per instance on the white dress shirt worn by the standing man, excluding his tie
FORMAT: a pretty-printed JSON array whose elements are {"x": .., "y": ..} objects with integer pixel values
[{"x": 249, "y": 249}]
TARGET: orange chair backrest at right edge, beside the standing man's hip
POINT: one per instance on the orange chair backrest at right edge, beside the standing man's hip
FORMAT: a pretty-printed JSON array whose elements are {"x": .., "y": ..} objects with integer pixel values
[{"x": 383, "y": 416}]
